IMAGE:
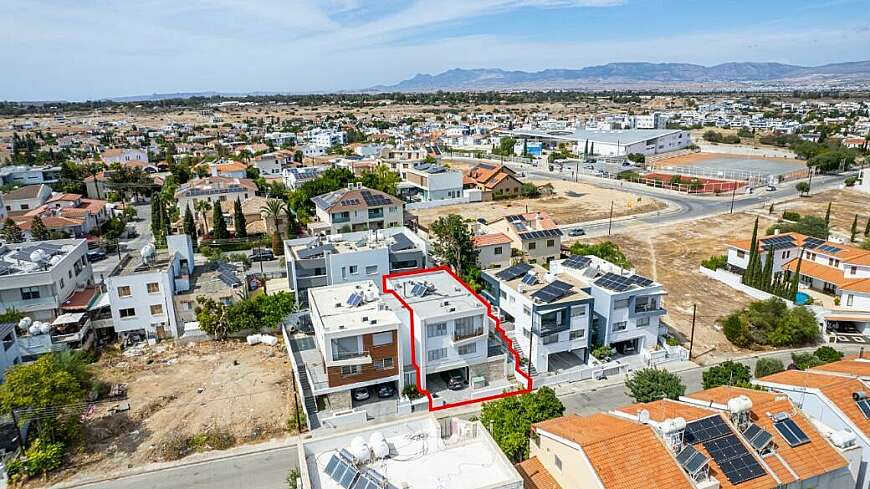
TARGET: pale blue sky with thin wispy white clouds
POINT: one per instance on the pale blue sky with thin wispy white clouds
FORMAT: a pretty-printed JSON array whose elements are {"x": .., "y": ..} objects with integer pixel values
[{"x": 91, "y": 49}]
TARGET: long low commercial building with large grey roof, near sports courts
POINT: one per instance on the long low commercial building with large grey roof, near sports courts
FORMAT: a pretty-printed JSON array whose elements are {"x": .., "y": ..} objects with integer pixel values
[{"x": 613, "y": 143}]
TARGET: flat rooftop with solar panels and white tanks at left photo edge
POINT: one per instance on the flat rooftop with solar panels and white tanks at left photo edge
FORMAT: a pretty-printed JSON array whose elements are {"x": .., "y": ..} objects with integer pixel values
[{"x": 36, "y": 256}]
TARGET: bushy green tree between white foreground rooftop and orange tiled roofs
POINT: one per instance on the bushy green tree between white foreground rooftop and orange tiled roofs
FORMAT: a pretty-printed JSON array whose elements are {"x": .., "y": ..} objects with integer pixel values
[{"x": 509, "y": 420}]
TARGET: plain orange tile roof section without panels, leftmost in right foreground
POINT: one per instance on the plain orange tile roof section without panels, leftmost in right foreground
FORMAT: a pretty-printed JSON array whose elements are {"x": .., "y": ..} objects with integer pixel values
[{"x": 624, "y": 454}]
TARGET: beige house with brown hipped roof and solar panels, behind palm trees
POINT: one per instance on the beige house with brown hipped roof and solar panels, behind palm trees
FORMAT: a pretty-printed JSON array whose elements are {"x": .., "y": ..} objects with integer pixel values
[{"x": 355, "y": 208}]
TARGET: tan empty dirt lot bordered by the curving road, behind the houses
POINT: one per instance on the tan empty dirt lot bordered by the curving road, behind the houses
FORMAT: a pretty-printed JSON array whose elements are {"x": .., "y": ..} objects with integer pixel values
[{"x": 570, "y": 203}]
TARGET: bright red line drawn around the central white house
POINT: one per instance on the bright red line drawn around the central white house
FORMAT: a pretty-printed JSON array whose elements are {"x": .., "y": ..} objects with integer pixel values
[{"x": 489, "y": 313}]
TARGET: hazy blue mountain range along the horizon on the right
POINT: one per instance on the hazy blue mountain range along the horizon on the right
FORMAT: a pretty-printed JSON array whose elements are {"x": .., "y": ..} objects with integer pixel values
[{"x": 636, "y": 75}]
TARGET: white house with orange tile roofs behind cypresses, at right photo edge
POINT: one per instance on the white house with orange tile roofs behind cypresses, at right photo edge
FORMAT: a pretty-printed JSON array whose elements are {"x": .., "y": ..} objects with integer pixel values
[{"x": 836, "y": 270}]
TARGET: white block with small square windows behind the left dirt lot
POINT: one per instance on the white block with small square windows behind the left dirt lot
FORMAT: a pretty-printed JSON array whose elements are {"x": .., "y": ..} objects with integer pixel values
[{"x": 141, "y": 295}]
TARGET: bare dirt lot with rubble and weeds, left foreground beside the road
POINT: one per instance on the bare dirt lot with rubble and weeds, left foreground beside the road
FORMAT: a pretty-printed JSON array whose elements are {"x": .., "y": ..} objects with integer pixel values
[{"x": 178, "y": 393}]
